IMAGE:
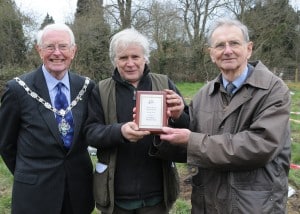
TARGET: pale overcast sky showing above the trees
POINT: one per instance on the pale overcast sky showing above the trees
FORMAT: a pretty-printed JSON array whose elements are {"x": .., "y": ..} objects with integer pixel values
[{"x": 63, "y": 10}]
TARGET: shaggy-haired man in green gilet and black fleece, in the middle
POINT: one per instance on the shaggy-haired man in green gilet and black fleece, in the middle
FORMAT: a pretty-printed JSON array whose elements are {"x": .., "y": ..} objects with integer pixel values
[{"x": 127, "y": 179}]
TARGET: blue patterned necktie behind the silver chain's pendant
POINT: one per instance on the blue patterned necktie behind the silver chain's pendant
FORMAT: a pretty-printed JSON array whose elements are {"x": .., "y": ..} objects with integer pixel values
[{"x": 65, "y": 124}]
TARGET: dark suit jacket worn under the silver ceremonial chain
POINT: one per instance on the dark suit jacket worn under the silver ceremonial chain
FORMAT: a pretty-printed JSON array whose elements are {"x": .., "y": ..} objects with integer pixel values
[{"x": 33, "y": 151}]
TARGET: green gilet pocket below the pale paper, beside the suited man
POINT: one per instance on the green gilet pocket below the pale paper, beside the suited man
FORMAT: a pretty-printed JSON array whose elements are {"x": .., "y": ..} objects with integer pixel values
[{"x": 101, "y": 188}]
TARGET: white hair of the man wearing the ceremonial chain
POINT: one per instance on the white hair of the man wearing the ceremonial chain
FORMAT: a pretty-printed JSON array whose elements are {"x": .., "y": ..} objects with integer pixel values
[{"x": 53, "y": 27}]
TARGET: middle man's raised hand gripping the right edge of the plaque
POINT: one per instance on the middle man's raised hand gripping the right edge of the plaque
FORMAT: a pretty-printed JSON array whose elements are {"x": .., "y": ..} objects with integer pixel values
[{"x": 175, "y": 104}]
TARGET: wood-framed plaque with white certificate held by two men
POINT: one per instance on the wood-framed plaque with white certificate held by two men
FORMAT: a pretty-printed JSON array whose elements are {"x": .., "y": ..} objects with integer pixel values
[{"x": 151, "y": 110}]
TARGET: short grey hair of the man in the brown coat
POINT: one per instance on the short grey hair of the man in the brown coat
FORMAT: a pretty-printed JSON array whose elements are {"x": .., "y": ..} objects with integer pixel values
[{"x": 228, "y": 22}]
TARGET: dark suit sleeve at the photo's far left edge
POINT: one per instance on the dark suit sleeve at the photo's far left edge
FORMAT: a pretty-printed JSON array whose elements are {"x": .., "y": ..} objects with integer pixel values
[{"x": 9, "y": 127}]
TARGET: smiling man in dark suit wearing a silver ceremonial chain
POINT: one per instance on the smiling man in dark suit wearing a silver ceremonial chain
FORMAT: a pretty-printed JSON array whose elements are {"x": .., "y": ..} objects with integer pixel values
[{"x": 41, "y": 139}]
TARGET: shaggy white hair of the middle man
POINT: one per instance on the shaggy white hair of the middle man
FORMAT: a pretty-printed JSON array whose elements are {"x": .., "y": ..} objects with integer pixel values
[{"x": 127, "y": 37}]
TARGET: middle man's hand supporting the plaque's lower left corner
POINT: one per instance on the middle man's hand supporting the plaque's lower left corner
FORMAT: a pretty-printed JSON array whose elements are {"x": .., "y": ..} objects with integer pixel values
[{"x": 131, "y": 132}]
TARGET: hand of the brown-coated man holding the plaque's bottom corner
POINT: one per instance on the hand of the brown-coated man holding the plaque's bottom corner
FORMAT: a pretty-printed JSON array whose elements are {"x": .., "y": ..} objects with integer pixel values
[{"x": 176, "y": 136}]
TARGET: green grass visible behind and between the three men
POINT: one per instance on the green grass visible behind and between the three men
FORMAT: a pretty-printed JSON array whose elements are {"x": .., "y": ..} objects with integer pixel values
[{"x": 182, "y": 205}]
